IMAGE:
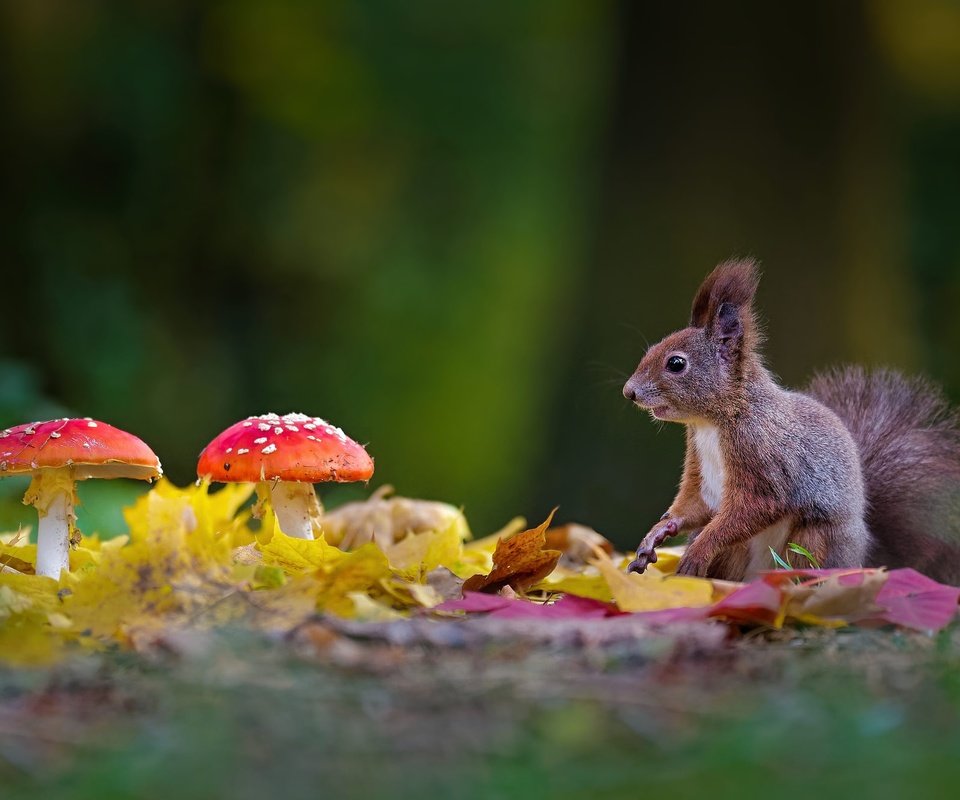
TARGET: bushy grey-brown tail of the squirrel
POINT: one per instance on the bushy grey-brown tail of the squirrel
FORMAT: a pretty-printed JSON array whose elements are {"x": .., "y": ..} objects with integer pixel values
[{"x": 909, "y": 442}]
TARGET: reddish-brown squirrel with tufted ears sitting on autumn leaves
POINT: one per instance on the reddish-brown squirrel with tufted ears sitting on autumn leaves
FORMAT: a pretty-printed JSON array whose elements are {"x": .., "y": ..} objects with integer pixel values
[{"x": 861, "y": 468}]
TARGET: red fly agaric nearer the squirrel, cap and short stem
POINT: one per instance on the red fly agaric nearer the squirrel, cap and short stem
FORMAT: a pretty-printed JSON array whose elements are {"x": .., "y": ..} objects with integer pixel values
[{"x": 284, "y": 456}]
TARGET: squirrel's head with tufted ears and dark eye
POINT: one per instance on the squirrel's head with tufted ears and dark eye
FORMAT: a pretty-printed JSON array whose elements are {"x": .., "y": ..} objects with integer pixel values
[{"x": 698, "y": 373}]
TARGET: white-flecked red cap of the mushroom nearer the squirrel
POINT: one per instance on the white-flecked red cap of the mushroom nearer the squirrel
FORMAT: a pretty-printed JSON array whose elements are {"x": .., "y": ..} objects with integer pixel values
[{"x": 293, "y": 447}]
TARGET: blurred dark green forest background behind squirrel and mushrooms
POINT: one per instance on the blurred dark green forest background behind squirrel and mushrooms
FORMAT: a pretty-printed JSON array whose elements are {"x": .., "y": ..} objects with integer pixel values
[{"x": 452, "y": 229}]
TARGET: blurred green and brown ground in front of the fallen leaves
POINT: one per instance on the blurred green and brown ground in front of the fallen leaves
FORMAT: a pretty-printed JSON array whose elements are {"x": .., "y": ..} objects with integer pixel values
[{"x": 474, "y": 708}]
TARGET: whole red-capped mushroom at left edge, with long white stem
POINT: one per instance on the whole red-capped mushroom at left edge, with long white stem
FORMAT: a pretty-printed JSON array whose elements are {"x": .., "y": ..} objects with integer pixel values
[{"x": 57, "y": 454}]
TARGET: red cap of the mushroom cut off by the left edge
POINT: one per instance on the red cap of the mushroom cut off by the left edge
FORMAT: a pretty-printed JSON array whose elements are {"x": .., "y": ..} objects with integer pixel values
[{"x": 88, "y": 447}]
